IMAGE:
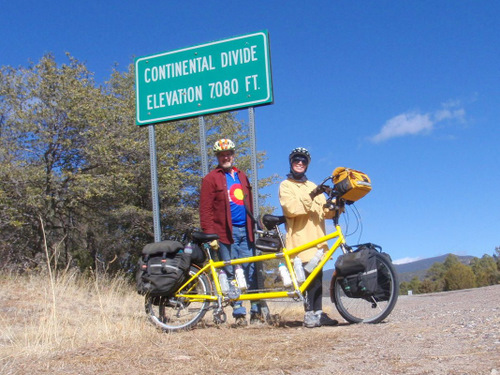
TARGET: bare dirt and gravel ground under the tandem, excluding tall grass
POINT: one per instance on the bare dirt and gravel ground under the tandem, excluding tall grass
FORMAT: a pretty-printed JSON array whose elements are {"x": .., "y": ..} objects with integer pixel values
[{"x": 442, "y": 333}]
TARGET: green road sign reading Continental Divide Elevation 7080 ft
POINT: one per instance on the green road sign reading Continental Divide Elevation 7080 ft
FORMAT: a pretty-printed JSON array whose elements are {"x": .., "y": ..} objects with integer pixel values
[{"x": 214, "y": 77}]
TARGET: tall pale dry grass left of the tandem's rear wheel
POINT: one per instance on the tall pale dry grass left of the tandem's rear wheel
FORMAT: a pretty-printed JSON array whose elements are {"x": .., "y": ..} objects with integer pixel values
[{"x": 39, "y": 317}]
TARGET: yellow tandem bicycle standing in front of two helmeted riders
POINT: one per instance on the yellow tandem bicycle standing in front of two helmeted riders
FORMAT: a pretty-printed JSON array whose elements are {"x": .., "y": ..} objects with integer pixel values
[{"x": 202, "y": 291}]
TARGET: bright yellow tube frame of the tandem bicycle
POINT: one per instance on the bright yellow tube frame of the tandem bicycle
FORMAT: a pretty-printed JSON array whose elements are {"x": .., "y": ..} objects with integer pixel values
[{"x": 286, "y": 254}]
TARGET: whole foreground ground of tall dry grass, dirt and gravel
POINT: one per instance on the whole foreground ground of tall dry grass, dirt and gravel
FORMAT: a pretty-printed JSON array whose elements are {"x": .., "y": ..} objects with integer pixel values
[{"x": 77, "y": 325}]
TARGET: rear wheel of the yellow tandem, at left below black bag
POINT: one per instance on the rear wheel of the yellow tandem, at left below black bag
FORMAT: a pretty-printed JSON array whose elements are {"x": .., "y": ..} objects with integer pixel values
[{"x": 173, "y": 314}]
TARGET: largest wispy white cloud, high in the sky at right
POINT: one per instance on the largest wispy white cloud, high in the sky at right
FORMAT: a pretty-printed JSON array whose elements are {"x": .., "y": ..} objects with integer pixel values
[{"x": 413, "y": 123}]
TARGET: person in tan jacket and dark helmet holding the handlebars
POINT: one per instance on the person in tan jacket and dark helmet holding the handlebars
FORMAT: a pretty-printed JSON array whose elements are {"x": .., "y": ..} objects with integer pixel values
[{"x": 303, "y": 204}]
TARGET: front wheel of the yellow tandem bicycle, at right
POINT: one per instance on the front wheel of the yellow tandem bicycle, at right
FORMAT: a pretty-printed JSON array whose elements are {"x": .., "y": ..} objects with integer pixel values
[{"x": 361, "y": 310}]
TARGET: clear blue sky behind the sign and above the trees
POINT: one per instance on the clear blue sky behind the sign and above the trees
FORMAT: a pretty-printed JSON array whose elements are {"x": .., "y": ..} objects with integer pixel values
[{"x": 407, "y": 91}]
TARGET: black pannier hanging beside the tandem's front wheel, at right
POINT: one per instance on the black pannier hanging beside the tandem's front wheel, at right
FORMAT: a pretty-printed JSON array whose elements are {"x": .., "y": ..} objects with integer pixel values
[{"x": 361, "y": 275}]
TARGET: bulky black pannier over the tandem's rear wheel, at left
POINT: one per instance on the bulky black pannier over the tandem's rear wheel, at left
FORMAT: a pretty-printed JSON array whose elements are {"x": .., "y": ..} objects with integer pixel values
[{"x": 162, "y": 268}]
